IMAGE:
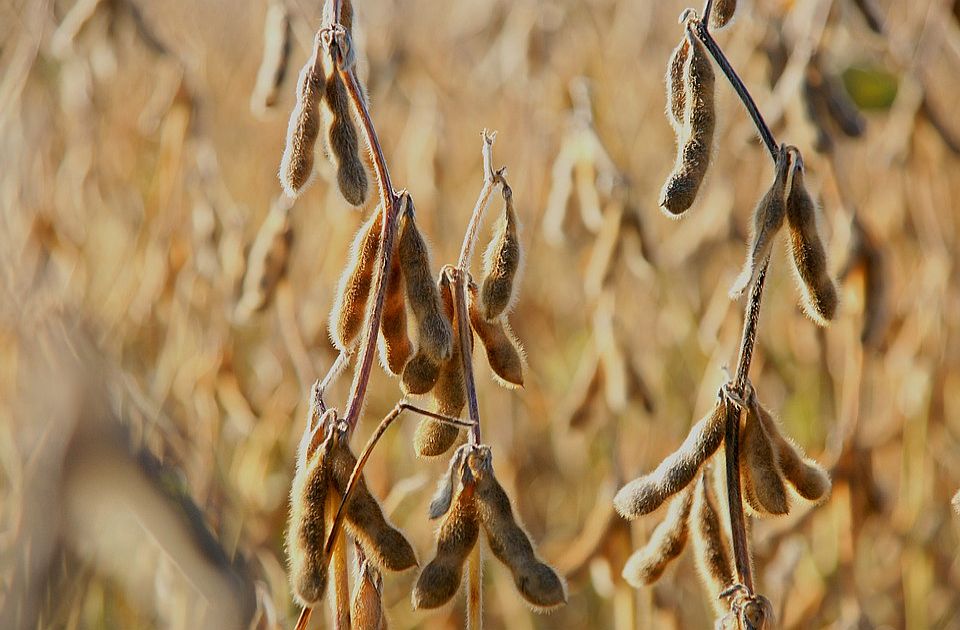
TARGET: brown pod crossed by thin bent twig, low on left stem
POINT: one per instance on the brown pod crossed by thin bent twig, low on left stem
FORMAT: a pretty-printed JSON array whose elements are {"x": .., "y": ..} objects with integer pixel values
[{"x": 383, "y": 543}]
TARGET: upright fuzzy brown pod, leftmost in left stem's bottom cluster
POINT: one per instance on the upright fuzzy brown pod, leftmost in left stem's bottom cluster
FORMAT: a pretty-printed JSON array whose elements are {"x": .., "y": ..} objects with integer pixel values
[{"x": 306, "y": 529}]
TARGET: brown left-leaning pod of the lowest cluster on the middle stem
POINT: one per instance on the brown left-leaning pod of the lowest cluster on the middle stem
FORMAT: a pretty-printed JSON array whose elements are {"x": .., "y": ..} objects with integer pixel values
[{"x": 441, "y": 577}]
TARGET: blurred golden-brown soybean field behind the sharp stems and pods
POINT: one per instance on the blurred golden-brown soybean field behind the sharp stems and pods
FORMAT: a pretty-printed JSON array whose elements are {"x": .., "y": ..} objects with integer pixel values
[{"x": 135, "y": 174}]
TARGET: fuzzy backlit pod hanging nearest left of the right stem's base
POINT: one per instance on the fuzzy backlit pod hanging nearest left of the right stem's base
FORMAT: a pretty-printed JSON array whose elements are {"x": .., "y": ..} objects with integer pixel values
[{"x": 709, "y": 540}]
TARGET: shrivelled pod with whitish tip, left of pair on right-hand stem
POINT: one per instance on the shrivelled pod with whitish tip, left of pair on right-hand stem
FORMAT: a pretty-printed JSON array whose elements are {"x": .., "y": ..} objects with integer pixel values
[{"x": 768, "y": 218}]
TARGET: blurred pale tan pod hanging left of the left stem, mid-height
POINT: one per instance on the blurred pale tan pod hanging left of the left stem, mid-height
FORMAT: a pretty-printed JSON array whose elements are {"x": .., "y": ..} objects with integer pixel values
[{"x": 267, "y": 261}]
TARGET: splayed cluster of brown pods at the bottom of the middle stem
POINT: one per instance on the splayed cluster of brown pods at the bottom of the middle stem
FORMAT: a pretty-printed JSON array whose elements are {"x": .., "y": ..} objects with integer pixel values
[{"x": 479, "y": 503}]
